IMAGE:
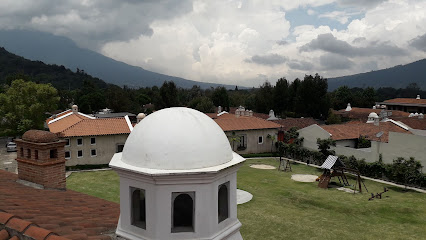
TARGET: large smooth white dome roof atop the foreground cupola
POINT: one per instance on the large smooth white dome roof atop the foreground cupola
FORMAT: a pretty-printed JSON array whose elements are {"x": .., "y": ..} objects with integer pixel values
[{"x": 177, "y": 139}]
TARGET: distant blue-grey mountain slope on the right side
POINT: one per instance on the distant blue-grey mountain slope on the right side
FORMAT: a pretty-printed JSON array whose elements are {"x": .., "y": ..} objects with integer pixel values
[{"x": 397, "y": 77}]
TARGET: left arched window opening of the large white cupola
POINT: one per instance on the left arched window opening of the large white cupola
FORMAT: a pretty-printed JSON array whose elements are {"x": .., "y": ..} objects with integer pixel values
[{"x": 138, "y": 211}]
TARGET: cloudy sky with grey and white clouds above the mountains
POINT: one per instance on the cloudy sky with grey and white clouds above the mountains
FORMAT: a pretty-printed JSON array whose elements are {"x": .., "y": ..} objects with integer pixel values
[{"x": 235, "y": 42}]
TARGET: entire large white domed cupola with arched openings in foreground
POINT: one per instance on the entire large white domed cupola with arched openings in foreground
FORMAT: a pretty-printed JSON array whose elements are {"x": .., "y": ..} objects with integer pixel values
[{"x": 178, "y": 179}]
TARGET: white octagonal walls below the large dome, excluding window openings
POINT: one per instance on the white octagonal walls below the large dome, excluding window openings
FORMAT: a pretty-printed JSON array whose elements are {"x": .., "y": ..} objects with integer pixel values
[{"x": 159, "y": 191}]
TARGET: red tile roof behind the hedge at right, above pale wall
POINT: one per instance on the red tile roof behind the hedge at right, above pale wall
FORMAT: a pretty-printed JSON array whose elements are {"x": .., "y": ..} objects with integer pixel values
[{"x": 353, "y": 130}]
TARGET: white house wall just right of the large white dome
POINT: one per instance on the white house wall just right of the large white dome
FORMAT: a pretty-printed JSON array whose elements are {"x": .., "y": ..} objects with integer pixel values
[{"x": 252, "y": 140}]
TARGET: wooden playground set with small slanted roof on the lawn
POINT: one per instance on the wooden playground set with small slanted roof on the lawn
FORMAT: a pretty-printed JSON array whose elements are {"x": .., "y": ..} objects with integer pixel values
[{"x": 333, "y": 167}]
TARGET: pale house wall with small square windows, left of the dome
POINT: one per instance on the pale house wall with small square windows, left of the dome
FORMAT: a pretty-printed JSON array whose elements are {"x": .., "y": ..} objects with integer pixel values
[{"x": 105, "y": 147}]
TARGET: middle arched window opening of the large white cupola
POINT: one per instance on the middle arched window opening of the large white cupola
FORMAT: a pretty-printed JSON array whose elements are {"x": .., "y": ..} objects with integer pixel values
[{"x": 183, "y": 212}]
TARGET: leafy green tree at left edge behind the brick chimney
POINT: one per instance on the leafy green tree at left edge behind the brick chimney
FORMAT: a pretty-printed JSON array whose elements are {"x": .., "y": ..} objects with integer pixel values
[{"x": 23, "y": 106}]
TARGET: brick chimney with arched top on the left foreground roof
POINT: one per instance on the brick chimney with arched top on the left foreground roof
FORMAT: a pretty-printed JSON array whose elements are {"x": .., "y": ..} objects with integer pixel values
[{"x": 41, "y": 159}]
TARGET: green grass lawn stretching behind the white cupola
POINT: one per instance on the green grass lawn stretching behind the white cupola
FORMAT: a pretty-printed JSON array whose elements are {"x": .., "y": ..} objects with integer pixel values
[{"x": 284, "y": 209}]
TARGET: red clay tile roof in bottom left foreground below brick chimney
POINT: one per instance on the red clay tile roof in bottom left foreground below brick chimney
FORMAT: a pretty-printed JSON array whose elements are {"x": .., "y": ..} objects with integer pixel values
[{"x": 70, "y": 214}]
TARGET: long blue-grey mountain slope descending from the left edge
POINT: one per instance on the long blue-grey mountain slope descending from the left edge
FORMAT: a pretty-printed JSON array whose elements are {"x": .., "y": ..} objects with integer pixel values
[{"x": 53, "y": 49}]
